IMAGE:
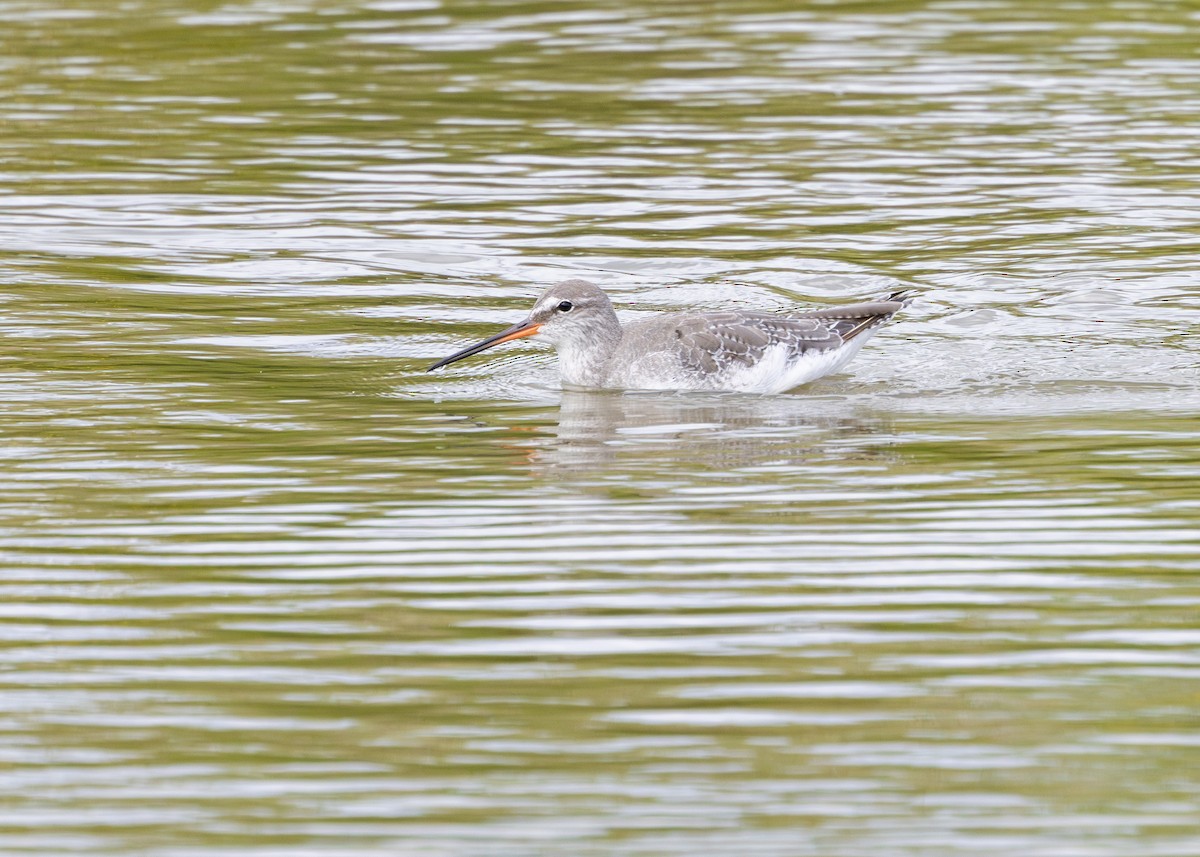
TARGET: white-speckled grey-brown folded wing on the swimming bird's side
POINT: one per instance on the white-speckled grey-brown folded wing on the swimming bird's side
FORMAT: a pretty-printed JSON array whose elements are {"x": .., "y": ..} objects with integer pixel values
[{"x": 713, "y": 341}]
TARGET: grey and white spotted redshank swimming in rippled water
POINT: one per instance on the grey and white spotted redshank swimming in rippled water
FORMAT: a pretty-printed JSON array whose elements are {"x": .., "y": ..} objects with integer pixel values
[{"x": 728, "y": 350}]
